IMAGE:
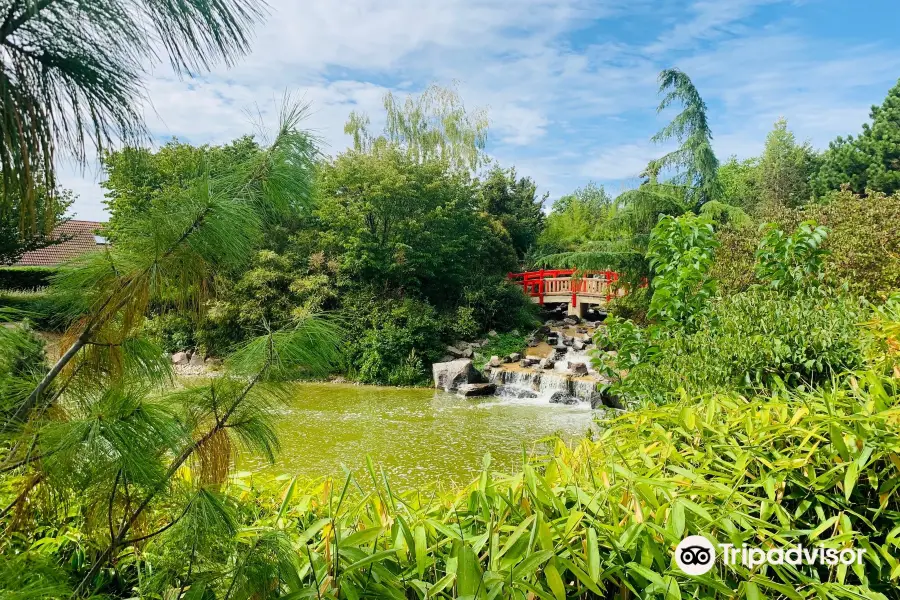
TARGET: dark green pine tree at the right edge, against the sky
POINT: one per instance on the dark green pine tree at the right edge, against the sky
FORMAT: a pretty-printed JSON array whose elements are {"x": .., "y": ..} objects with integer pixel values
[{"x": 870, "y": 161}]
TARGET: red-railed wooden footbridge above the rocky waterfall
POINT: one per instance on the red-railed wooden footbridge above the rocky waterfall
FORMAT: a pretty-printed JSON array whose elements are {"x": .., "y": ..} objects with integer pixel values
[{"x": 563, "y": 286}]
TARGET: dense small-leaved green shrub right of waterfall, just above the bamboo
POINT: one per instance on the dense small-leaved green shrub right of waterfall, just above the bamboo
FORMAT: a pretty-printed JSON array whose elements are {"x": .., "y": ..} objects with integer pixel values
[{"x": 753, "y": 340}]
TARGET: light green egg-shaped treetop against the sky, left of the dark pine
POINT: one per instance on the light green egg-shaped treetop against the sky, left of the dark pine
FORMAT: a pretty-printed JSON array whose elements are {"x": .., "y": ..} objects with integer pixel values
[{"x": 785, "y": 168}]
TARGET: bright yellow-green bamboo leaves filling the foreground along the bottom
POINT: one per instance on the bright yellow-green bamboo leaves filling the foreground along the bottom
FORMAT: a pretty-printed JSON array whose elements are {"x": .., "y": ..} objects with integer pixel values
[{"x": 597, "y": 519}]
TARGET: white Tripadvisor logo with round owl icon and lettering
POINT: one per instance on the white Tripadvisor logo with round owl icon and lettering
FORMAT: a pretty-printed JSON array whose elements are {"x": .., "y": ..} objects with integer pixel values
[{"x": 696, "y": 555}]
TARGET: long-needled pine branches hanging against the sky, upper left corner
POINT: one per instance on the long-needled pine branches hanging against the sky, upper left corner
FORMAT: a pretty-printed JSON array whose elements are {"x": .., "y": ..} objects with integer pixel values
[{"x": 70, "y": 74}]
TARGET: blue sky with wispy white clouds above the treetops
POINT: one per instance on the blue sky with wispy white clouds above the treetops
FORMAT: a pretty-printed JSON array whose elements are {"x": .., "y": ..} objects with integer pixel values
[{"x": 570, "y": 85}]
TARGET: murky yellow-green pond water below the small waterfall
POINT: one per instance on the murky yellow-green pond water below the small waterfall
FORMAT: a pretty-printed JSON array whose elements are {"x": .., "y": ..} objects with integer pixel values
[{"x": 420, "y": 437}]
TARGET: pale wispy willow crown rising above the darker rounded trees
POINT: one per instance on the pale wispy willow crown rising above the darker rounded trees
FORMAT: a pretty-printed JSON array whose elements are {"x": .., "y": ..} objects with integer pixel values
[{"x": 435, "y": 124}]
